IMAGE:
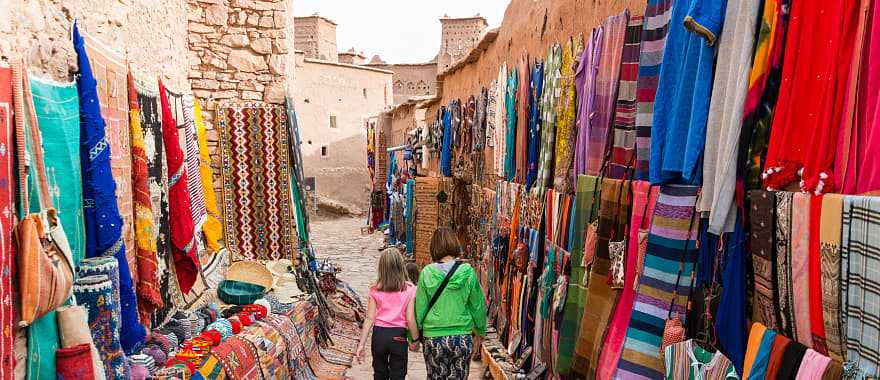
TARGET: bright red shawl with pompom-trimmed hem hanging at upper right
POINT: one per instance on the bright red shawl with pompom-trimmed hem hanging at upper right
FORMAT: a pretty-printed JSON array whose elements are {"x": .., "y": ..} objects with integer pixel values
[{"x": 818, "y": 57}]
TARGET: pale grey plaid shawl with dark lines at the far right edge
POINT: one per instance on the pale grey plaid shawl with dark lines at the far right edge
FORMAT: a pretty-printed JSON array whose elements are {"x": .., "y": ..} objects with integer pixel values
[{"x": 859, "y": 244}]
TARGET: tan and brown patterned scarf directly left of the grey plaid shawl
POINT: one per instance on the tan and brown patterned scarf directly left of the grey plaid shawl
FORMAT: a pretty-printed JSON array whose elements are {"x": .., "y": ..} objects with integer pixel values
[{"x": 830, "y": 230}]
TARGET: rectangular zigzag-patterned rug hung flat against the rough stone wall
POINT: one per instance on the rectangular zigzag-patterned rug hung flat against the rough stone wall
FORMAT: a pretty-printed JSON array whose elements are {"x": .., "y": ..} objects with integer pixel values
[{"x": 258, "y": 217}]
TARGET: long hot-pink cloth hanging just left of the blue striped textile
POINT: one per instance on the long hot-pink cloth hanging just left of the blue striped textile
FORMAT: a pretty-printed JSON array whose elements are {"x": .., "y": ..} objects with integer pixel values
[{"x": 642, "y": 208}]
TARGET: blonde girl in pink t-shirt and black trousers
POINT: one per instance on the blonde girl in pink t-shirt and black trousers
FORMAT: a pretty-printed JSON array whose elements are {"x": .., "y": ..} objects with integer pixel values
[{"x": 390, "y": 313}]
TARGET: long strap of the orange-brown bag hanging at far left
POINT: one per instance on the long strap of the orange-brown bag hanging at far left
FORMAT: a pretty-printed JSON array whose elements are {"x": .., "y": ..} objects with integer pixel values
[{"x": 26, "y": 124}]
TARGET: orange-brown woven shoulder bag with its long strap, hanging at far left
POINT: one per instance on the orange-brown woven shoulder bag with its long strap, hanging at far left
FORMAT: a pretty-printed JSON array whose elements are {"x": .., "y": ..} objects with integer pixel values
[{"x": 45, "y": 262}]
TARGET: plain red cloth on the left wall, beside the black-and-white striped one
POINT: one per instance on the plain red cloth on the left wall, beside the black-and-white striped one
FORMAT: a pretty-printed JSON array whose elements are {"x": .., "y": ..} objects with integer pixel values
[{"x": 186, "y": 265}]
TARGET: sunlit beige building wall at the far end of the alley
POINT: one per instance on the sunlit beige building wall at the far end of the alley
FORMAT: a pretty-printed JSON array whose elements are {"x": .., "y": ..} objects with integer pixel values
[{"x": 323, "y": 89}]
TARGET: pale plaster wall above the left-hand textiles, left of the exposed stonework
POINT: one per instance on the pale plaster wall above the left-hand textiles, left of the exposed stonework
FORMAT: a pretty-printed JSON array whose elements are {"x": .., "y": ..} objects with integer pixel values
[{"x": 151, "y": 33}]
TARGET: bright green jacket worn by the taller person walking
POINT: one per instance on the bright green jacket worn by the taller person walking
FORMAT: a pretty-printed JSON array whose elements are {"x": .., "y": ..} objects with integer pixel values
[{"x": 460, "y": 310}]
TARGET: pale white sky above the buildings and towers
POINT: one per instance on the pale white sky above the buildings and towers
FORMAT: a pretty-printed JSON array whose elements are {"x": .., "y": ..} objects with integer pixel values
[{"x": 399, "y": 31}]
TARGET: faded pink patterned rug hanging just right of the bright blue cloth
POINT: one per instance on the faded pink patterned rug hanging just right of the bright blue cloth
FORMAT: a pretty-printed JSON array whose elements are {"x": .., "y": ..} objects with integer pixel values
[{"x": 111, "y": 72}]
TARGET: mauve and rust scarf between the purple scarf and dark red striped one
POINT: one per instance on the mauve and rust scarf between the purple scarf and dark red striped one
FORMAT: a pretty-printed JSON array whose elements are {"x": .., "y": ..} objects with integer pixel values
[{"x": 615, "y": 30}]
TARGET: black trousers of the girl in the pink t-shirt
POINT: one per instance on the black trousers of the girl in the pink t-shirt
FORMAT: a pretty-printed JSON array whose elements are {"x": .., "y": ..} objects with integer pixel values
[{"x": 390, "y": 349}]
